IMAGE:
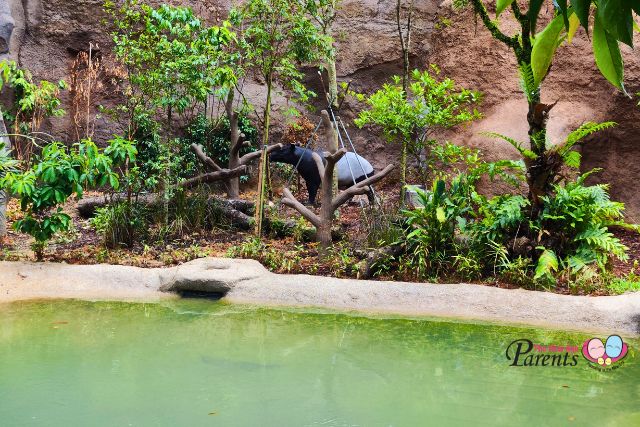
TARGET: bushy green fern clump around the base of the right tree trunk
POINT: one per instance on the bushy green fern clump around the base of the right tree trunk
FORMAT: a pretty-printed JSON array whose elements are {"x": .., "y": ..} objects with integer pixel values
[{"x": 569, "y": 235}]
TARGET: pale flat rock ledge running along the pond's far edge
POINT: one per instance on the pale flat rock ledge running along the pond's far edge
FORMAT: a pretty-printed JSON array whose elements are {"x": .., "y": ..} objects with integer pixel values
[{"x": 248, "y": 282}]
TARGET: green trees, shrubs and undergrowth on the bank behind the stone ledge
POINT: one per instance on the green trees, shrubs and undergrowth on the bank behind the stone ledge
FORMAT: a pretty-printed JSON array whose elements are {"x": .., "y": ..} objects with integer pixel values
[{"x": 186, "y": 133}]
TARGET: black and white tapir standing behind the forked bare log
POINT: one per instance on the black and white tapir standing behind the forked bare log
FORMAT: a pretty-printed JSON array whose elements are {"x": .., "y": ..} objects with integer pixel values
[{"x": 307, "y": 167}]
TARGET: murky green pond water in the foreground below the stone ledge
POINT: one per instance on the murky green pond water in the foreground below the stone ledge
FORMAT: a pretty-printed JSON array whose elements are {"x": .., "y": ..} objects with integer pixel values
[{"x": 204, "y": 363}]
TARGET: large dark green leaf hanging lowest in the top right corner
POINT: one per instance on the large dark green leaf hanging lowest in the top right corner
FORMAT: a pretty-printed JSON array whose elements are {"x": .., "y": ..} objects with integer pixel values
[{"x": 607, "y": 53}]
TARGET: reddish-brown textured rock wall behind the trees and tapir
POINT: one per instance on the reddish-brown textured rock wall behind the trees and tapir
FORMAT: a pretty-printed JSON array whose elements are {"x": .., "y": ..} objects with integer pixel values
[{"x": 48, "y": 35}]
